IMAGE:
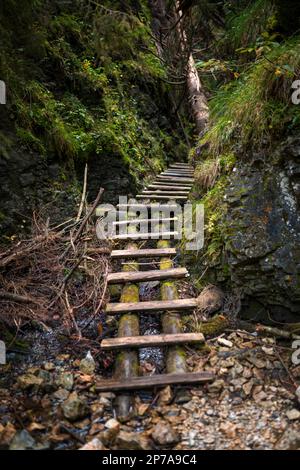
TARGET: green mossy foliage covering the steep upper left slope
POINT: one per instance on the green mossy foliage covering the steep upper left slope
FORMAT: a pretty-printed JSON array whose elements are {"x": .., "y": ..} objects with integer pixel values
[{"x": 85, "y": 87}]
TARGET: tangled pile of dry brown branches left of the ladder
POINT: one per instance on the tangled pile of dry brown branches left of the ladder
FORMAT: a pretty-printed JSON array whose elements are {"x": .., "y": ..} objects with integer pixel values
[{"x": 59, "y": 274}]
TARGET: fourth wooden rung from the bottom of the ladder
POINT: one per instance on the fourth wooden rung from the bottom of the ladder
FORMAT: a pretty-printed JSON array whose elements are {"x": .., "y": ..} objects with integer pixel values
[{"x": 143, "y": 276}]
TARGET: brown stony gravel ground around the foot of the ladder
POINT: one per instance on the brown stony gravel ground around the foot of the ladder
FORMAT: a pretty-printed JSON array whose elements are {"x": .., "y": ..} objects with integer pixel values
[{"x": 251, "y": 404}]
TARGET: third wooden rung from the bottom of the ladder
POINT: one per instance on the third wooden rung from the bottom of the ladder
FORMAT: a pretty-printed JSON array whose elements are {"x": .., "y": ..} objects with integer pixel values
[{"x": 151, "y": 306}]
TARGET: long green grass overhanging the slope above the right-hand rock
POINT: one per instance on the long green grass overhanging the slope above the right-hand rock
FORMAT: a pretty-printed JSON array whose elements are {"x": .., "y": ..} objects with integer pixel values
[{"x": 257, "y": 107}]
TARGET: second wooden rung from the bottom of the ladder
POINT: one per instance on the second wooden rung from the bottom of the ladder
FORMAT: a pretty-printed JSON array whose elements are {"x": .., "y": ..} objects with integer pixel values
[{"x": 151, "y": 340}]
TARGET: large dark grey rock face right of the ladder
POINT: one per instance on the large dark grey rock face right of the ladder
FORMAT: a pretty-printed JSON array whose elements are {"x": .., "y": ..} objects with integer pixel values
[{"x": 262, "y": 249}]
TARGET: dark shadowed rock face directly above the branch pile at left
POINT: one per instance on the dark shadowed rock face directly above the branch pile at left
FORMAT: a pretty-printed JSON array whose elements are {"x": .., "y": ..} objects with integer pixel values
[{"x": 28, "y": 181}]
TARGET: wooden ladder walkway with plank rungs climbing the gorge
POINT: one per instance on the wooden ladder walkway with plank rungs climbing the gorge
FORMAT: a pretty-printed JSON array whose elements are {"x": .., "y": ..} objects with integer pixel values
[{"x": 173, "y": 185}]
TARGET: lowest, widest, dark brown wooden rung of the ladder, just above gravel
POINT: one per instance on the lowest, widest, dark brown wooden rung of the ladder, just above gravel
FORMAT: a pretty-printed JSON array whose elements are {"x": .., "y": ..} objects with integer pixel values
[{"x": 150, "y": 381}]
